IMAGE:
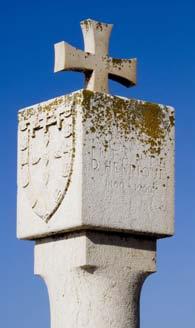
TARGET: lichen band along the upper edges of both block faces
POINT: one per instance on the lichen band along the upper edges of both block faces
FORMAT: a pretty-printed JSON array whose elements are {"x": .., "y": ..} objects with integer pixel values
[{"x": 147, "y": 122}]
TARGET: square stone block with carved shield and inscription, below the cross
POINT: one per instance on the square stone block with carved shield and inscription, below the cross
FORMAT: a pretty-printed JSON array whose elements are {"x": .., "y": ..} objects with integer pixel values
[{"x": 90, "y": 160}]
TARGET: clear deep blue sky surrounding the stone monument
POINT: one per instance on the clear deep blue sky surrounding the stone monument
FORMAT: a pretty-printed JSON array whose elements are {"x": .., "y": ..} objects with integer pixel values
[{"x": 161, "y": 34}]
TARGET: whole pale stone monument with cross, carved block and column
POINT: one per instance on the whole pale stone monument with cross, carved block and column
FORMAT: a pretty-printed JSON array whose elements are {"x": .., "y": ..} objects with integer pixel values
[{"x": 95, "y": 188}]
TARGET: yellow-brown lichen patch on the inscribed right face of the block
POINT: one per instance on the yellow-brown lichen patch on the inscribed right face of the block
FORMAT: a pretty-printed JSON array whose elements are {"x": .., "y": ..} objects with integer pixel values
[{"x": 149, "y": 122}]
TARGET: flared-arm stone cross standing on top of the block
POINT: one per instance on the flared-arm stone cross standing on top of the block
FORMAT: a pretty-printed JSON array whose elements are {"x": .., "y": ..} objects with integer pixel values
[{"x": 94, "y": 61}]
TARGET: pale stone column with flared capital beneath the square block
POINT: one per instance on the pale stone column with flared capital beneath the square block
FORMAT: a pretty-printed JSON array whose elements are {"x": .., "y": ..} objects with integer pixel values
[{"x": 94, "y": 279}]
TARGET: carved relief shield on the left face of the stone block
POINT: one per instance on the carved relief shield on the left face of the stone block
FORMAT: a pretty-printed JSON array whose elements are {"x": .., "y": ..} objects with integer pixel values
[{"x": 46, "y": 147}]
